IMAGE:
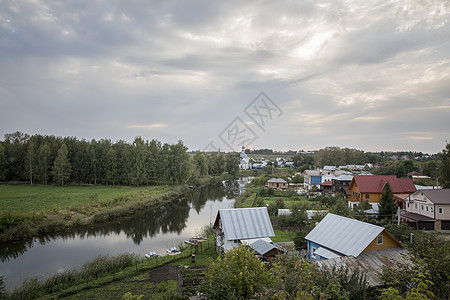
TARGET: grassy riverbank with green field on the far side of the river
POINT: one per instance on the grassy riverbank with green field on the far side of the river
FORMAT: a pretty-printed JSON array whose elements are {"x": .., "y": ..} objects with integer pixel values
[{"x": 31, "y": 211}]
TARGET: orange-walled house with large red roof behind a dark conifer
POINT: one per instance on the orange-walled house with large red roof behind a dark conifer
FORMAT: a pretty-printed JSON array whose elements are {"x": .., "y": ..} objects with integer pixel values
[{"x": 371, "y": 187}]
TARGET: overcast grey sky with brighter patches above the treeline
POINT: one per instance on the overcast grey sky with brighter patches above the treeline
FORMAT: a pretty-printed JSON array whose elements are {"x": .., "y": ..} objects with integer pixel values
[{"x": 299, "y": 75}]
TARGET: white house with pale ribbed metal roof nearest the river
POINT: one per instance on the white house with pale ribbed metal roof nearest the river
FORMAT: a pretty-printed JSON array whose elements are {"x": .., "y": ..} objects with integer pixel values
[{"x": 235, "y": 227}]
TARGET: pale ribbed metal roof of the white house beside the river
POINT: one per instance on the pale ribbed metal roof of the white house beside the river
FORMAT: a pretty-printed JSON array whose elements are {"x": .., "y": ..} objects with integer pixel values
[{"x": 246, "y": 223}]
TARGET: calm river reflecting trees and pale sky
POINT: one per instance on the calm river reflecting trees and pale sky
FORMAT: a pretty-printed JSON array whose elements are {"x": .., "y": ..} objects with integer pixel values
[{"x": 152, "y": 230}]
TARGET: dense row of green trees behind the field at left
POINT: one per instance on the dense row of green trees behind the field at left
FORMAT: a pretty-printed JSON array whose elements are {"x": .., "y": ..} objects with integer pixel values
[{"x": 49, "y": 159}]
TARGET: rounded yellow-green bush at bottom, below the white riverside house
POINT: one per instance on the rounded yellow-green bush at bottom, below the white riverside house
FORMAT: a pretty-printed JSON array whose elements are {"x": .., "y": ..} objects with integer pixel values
[{"x": 236, "y": 274}]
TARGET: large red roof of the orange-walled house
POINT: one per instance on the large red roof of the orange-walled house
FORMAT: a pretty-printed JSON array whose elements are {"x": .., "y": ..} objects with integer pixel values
[{"x": 375, "y": 184}]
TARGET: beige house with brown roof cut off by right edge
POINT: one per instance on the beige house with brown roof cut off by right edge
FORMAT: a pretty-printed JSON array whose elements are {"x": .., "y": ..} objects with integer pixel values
[{"x": 428, "y": 209}]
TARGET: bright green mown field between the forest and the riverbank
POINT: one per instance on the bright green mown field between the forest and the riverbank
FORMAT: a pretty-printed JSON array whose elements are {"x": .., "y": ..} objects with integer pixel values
[{"x": 37, "y": 198}]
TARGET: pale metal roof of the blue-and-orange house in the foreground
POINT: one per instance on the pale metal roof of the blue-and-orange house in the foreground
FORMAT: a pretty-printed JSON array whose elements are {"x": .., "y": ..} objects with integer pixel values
[{"x": 344, "y": 235}]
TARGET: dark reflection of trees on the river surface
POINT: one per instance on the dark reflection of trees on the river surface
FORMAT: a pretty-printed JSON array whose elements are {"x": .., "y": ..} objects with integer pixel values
[{"x": 167, "y": 218}]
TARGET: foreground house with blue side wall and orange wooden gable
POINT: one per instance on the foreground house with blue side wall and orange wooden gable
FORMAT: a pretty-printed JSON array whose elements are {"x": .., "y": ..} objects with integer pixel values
[{"x": 336, "y": 236}]
